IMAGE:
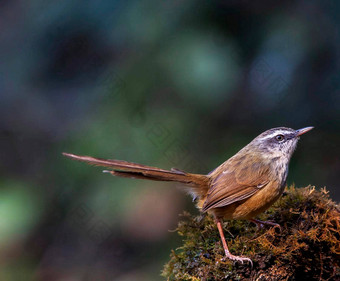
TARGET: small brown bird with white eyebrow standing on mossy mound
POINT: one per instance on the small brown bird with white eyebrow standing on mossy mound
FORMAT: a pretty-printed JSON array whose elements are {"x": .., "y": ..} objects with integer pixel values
[{"x": 241, "y": 188}]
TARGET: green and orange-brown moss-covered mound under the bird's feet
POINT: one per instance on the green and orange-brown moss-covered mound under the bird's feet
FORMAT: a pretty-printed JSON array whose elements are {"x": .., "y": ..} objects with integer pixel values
[{"x": 306, "y": 248}]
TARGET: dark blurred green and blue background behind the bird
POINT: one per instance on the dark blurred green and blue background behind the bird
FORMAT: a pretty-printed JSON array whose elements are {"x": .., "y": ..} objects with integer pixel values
[{"x": 181, "y": 84}]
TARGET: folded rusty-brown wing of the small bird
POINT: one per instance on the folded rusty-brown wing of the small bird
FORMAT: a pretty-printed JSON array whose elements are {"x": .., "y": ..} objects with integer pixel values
[{"x": 230, "y": 185}]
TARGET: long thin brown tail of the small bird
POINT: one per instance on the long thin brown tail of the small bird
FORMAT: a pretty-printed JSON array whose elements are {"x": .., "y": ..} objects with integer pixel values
[{"x": 133, "y": 170}]
